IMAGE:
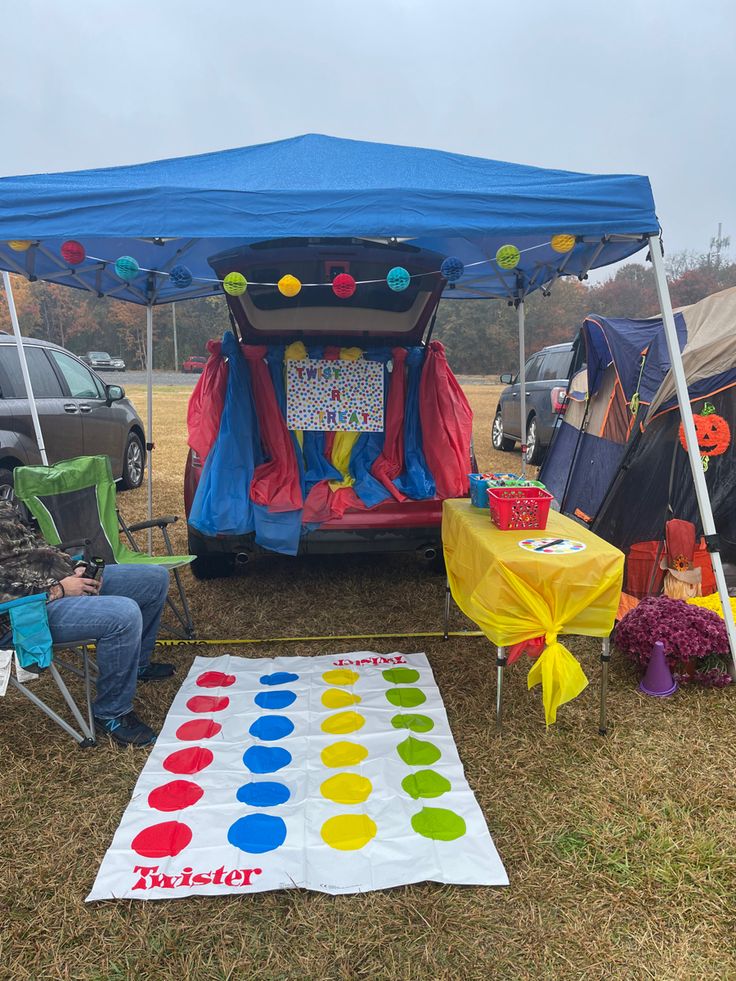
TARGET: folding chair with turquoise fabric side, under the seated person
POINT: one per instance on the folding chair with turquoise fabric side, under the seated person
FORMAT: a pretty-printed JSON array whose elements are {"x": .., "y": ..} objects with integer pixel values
[{"x": 31, "y": 645}]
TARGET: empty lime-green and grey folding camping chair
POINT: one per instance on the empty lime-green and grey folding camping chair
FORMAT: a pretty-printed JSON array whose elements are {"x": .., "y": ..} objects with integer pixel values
[{"x": 76, "y": 500}]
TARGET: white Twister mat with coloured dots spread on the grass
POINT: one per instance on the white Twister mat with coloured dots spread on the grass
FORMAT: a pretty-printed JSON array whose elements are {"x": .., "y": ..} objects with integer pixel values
[{"x": 336, "y": 773}]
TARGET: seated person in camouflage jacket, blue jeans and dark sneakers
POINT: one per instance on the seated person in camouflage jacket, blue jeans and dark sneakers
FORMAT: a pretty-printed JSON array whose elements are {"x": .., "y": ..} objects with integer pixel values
[{"x": 121, "y": 614}]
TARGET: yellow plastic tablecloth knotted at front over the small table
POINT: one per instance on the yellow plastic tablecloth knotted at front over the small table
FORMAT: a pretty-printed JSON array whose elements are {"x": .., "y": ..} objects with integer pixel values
[{"x": 514, "y": 594}]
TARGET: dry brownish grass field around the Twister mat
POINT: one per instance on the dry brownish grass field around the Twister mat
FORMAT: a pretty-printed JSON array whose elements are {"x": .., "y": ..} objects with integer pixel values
[{"x": 621, "y": 851}]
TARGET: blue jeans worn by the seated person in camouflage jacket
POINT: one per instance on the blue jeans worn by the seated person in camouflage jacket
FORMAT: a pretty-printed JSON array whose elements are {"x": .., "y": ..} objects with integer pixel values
[{"x": 123, "y": 621}]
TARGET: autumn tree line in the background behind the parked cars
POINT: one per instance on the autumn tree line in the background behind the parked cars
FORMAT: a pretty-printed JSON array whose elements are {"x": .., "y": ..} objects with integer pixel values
[{"x": 481, "y": 336}]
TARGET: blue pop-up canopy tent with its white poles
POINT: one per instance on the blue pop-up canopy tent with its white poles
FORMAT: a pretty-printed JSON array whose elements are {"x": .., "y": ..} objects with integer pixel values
[{"x": 178, "y": 212}]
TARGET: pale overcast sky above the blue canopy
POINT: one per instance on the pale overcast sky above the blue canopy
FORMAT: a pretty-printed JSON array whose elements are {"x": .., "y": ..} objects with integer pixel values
[{"x": 612, "y": 86}]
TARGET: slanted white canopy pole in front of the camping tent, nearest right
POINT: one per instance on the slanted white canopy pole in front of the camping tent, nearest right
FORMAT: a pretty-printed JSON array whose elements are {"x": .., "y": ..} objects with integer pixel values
[{"x": 691, "y": 438}]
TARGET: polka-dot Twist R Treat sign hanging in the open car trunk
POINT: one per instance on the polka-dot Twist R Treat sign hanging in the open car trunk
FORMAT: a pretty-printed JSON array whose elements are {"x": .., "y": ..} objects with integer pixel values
[{"x": 336, "y": 396}]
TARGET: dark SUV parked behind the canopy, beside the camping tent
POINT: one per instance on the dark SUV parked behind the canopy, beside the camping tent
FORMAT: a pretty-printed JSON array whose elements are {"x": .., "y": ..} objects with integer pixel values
[{"x": 547, "y": 375}]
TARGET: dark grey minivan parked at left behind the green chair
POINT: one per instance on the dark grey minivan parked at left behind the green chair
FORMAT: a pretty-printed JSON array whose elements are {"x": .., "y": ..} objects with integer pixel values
[{"x": 79, "y": 414}]
